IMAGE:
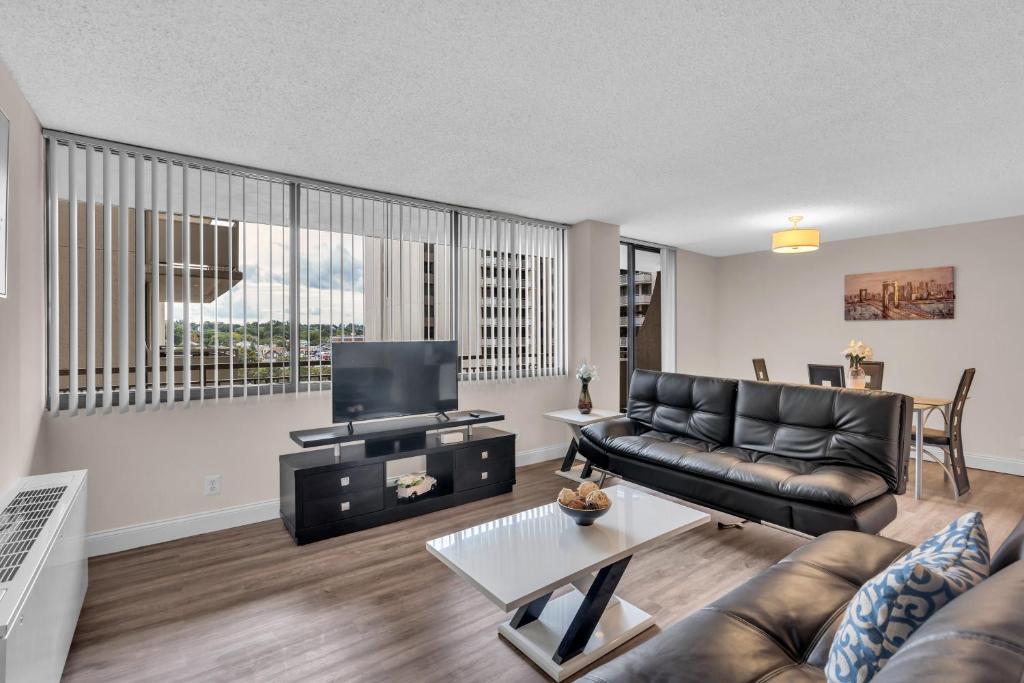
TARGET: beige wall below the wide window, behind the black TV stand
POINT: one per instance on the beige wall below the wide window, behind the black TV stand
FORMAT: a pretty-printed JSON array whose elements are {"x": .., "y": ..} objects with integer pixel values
[{"x": 150, "y": 466}]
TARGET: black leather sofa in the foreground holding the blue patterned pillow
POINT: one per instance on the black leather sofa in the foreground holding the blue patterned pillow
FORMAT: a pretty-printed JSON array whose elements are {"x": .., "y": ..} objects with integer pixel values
[{"x": 780, "y": 626}]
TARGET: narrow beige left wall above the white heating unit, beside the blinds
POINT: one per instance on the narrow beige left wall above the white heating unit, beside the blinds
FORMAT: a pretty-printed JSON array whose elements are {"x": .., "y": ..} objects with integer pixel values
[{"x": 23, "y": 332}]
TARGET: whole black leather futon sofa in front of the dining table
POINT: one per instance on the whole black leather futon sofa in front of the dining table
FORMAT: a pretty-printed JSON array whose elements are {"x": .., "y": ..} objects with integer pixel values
[{"x": 813, "y": 459}]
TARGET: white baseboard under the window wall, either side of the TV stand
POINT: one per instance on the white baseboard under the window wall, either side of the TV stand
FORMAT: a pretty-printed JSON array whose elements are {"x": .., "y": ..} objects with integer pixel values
[{"x": 148, "y": 534}]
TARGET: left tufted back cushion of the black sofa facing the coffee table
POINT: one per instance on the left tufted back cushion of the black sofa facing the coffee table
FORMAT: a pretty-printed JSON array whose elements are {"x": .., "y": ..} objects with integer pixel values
[{"x": 701, "y": 408}]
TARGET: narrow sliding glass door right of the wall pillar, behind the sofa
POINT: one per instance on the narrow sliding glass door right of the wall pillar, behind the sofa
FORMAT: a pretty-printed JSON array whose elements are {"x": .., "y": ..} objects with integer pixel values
[{"x": 639, "y": 313}]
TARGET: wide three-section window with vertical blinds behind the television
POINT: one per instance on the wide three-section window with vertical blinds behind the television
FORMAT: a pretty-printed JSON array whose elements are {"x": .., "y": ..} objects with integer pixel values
[{"x": 246, "y": 295}]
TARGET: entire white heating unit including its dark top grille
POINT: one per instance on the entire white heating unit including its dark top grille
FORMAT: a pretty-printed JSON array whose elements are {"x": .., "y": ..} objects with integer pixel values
[{"x": 44, "y": 575}]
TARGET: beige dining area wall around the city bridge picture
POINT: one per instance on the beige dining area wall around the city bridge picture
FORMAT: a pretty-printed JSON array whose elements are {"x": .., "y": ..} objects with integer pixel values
[{"x": 789, "y": 310}]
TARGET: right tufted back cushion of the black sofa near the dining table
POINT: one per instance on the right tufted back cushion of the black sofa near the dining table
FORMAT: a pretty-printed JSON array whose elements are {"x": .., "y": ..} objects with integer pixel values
[{"x": 865, "y": 430}]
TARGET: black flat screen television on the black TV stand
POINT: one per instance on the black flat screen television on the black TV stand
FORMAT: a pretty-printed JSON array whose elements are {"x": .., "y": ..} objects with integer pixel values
[{"x": 372, "y": 380}]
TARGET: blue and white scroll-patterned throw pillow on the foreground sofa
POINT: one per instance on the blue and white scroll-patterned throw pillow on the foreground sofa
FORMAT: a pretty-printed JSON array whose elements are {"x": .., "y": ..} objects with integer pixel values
[{"x": 892, "y": 606}]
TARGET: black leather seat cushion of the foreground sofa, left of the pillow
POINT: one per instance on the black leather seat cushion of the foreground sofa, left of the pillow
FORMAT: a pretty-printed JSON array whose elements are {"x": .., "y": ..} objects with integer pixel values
[{"x": 776, "y": 627}]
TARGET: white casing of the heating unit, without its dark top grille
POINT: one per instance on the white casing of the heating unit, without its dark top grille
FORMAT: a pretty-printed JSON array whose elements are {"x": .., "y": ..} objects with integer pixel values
[{"x": 39, "y": 608}]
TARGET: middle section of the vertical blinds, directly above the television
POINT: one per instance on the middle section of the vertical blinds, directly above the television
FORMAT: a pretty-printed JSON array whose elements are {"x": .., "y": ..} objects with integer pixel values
[{"x": 370, "y": 270}]
